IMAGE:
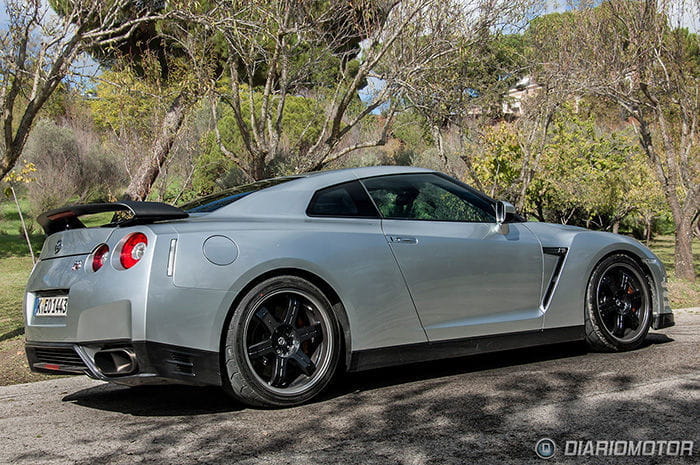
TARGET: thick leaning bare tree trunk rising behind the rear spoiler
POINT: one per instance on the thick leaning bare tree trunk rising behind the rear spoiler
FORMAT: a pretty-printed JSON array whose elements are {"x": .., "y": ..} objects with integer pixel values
[{"x": 149, "y": 170}]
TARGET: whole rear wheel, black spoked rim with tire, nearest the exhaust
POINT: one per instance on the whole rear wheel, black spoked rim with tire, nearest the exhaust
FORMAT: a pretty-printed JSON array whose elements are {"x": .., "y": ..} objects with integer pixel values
[{"x": 282, "y": 344}]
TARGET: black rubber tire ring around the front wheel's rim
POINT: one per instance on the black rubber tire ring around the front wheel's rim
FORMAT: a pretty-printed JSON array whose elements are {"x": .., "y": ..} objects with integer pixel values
[{"x": 598, "y": 335}]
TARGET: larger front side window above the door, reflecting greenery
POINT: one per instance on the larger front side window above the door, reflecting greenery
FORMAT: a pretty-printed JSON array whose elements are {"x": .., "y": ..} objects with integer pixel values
[{"x": 427, "y": 197}]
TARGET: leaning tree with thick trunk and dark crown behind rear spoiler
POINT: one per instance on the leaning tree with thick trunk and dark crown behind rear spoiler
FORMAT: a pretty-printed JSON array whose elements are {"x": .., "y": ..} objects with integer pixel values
[{"x": 175, "y": 58}]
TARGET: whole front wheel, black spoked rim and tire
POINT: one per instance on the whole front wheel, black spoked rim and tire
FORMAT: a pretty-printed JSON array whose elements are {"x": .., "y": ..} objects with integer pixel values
[{"x": 618, "y": 305}]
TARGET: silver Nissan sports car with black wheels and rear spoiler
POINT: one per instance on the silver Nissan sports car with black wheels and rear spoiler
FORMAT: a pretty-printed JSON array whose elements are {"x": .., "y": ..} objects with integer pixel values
[{"x": 271, "y": 288}]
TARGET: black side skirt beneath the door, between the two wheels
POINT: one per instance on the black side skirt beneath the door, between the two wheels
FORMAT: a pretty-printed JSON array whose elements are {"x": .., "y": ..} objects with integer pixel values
[{"x": 428, "y": 351}]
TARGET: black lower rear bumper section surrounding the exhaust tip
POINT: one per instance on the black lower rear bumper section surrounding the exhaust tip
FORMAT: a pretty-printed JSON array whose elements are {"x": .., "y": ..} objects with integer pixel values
[{"x": 155, "y": 363}]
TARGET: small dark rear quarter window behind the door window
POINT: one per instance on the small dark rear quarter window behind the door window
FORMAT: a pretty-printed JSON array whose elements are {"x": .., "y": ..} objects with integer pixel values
[{"x": 344, "y": 200}]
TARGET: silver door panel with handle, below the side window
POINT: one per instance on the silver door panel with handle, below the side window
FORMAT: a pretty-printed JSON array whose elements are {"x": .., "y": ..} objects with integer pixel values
[{"x": 469, "y": 279}]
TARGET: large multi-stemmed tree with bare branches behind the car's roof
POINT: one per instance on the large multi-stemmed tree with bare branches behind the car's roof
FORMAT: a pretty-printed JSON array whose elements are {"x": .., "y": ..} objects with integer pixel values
[{"x": 275, "y": 56}]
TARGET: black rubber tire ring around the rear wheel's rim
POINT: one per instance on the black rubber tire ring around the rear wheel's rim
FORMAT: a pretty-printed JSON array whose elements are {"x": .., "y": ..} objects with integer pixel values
[{"x": 247, "y": 385}]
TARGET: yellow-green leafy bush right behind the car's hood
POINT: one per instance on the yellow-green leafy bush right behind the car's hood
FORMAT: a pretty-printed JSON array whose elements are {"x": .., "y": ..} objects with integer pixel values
[{"x": 589, "y": 175}]
